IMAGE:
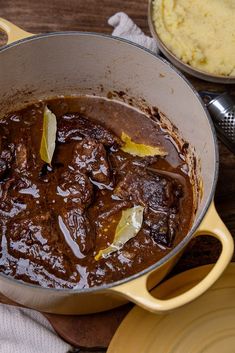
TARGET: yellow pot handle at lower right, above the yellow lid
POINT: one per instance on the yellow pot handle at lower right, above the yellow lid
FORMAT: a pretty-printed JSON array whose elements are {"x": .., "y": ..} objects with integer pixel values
[{"x": 137, "y": 292}]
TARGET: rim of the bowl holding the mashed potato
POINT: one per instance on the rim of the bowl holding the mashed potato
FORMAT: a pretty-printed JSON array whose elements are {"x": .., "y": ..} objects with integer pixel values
[{"x": 204, "y": 75}]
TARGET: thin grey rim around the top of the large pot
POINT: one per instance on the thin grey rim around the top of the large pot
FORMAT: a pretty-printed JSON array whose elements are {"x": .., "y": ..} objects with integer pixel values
[{"x": 180, "y": 246}]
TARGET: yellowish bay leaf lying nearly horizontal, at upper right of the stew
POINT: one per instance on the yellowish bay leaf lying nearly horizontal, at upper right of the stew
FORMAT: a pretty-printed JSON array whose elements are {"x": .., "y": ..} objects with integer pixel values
[{"x": 139, "y": 149}]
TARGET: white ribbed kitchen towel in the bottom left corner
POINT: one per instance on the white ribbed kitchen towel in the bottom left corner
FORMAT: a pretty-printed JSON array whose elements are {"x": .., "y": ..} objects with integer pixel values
[{"x": 27, "y": 331}]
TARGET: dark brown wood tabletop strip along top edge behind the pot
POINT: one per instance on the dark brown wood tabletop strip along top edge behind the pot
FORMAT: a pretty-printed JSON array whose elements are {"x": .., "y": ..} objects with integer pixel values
[{"x": 61, "y": 15}]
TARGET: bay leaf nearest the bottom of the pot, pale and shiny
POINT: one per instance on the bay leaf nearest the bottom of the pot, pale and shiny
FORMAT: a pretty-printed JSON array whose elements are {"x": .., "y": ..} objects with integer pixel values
[{"x": 127, "y": 228}]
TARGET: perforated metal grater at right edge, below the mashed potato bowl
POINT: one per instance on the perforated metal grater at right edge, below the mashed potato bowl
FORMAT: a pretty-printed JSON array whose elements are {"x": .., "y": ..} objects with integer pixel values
[{"x": 222, "y": 110}]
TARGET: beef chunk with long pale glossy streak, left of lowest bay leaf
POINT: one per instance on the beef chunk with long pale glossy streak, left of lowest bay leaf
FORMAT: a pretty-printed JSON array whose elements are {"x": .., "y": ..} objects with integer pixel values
[{"x": 77, "y": 231}]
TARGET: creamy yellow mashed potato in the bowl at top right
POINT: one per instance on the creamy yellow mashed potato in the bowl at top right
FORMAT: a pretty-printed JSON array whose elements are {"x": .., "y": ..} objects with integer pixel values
[{"x": 199, "y": 32}]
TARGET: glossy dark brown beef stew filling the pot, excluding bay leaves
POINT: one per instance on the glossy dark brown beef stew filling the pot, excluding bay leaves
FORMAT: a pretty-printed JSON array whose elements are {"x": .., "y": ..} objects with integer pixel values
[{"x": 55, "y": 219}]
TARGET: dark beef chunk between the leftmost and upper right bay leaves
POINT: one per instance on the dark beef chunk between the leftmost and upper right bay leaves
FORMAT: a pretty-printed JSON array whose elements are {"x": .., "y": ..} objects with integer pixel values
[{"x": 76, "y": 127}]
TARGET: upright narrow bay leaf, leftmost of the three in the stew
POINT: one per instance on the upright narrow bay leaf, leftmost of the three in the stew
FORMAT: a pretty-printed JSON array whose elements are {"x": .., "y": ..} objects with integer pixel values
[{"x": 47, "y": 147}]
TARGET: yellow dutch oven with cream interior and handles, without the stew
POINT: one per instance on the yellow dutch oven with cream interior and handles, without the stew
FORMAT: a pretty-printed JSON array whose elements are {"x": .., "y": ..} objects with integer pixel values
[{"x": 70, "y": 63}]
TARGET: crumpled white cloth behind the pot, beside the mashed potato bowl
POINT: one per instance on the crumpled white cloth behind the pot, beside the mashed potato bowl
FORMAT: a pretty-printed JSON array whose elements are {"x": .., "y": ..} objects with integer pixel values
[{"x": 125, "y": 28}]
